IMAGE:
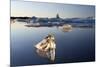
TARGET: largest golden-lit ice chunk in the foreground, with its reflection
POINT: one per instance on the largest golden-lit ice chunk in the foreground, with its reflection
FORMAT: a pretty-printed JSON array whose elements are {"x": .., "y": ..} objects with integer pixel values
[{"x": 46, "y": 48}]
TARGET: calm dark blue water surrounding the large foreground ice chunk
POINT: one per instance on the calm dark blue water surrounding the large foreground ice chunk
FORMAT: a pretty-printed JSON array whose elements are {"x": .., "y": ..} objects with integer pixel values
[{"x": 77, "y": 45}]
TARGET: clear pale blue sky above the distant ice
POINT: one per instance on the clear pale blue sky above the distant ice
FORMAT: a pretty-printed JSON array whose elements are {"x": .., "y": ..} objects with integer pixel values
[{"x": 42, "y": 9}]
